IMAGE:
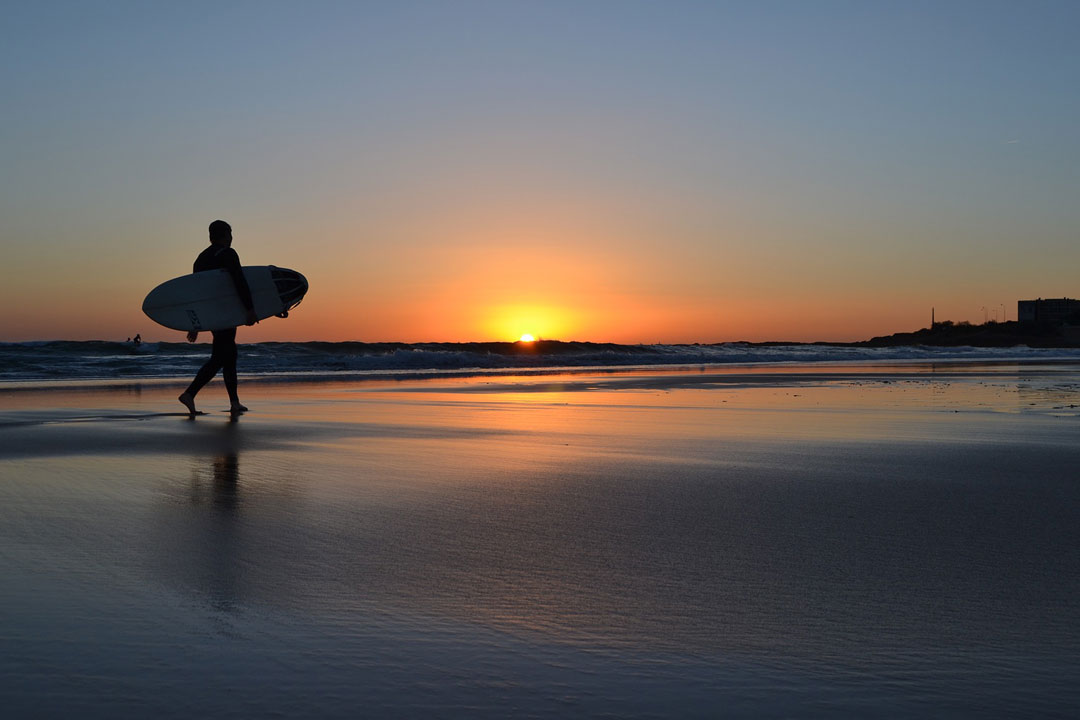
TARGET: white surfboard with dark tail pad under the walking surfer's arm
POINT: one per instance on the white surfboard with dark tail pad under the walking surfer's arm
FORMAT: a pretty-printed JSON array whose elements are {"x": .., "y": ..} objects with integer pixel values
[{"x": 209, "y": 301}]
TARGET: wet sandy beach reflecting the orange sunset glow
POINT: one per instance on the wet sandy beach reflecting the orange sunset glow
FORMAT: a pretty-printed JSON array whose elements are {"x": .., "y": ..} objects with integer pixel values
[{"x": 860, "y": 540}]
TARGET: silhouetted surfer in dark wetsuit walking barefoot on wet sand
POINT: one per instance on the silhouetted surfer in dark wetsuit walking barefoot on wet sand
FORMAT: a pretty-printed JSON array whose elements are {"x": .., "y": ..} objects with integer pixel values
[{"x": 224, "y": 357}]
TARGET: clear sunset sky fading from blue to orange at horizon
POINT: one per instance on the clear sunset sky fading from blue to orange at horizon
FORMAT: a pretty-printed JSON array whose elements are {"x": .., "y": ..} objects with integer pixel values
[{"x": 629, "y": 172}]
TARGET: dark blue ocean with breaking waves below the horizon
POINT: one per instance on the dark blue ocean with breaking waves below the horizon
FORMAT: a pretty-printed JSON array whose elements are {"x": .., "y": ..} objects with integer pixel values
[{"x": 104, "y": 361}]
